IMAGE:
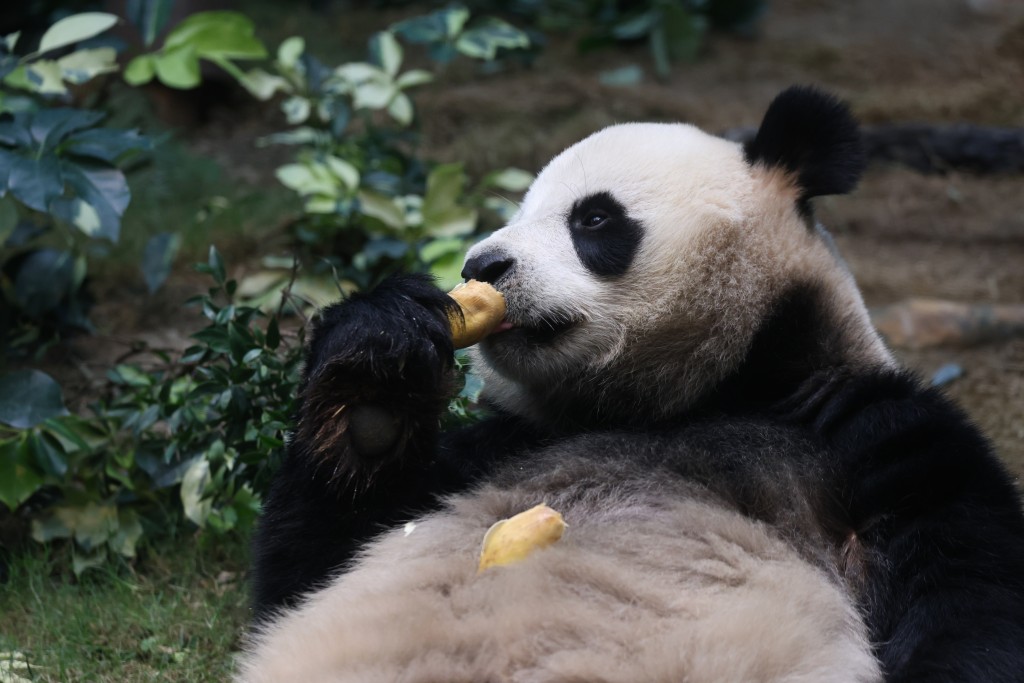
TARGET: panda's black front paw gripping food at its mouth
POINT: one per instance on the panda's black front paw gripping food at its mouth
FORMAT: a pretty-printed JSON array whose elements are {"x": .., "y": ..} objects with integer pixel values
[{"x": 378, "y": 375}]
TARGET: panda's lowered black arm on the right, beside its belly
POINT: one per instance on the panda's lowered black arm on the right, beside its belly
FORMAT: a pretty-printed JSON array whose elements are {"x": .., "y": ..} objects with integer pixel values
[{"x": 938, "y": 526}]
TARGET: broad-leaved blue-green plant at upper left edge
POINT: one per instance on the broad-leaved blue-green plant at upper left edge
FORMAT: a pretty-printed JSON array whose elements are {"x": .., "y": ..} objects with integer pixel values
[{"x": 62, "y": 186}]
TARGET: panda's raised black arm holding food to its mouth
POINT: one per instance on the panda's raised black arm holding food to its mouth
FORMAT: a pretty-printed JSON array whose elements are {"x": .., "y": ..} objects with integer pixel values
[{"x": 367, "y": 451}]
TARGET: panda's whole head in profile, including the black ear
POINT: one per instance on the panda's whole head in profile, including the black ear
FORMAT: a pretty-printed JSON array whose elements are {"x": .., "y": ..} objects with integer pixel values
[{"x": 646, "y": 261}]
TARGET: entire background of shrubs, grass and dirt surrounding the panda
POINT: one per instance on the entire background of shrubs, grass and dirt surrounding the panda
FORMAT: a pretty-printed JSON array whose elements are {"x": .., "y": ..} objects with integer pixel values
[{"x": 184, "y": 182}]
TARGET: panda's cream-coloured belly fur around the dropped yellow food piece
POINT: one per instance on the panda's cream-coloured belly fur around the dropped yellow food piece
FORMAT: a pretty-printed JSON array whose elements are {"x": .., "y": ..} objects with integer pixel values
[{"x": 643, "y": 587}]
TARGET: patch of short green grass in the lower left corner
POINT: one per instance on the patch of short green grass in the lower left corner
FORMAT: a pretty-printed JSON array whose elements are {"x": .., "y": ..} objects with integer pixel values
[{"x": 176, "y": 617}]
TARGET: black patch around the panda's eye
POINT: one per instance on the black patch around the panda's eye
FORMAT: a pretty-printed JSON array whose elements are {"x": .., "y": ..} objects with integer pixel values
[{"x": 605, "y": 236}]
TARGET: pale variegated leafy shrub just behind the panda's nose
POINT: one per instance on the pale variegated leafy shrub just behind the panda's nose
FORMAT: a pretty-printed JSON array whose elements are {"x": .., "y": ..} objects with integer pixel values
[{"x": 370, "y": 200}]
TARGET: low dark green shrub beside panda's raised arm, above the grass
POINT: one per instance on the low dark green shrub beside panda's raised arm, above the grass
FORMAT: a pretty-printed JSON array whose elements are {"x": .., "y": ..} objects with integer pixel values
[{"x": 194, "y": 438}]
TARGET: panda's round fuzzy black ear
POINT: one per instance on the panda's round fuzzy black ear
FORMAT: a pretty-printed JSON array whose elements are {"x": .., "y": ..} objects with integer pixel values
[{"x": 815, "y": 137}]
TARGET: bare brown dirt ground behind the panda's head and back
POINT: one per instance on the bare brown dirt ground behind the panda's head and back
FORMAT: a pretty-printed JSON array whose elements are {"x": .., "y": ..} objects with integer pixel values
[{"x": 955, "y": 237}]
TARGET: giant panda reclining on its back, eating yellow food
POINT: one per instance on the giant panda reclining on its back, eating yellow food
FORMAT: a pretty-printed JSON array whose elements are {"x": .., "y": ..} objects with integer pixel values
[{"x": 754, "y": 490}]
